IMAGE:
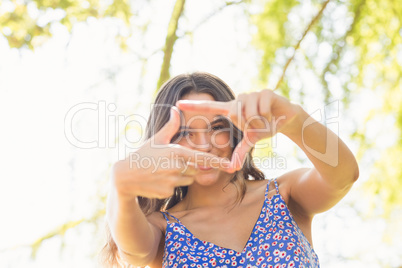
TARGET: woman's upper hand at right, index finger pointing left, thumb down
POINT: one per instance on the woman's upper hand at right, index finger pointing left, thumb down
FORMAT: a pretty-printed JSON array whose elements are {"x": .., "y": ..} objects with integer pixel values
[{"x": 259, "y": 115}]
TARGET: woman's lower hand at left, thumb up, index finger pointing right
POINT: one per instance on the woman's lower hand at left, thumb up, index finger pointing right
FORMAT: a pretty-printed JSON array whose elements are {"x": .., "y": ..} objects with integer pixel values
[{"x": 158, "y": 166}]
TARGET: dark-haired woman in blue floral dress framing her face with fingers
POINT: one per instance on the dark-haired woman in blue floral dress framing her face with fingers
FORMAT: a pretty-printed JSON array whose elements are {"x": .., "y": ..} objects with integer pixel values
[{"x": 202, "y": 203}]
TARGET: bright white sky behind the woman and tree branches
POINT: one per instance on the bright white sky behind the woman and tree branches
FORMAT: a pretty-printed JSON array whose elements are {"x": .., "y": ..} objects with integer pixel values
[{"x": 46, "y": 181}]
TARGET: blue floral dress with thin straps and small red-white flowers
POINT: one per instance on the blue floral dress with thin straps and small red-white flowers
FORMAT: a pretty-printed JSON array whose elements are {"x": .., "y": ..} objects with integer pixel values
[{"x": 276, "y": 241}]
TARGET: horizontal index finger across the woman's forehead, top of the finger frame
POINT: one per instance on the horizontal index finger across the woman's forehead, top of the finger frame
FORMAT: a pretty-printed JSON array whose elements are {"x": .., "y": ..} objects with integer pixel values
[{"x": 216, "y": 107}]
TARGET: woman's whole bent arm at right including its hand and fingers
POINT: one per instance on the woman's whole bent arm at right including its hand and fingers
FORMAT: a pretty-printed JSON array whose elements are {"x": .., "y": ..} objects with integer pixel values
[{"x": 263, "y": 114}]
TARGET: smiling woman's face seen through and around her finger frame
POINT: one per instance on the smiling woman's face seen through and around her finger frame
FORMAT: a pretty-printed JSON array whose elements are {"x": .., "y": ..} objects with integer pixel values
[{"x": 206, "y": 133}]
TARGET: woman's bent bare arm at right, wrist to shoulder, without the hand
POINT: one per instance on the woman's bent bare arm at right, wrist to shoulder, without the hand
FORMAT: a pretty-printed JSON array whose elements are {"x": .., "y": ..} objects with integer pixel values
[{"x": 335, "y": 168}]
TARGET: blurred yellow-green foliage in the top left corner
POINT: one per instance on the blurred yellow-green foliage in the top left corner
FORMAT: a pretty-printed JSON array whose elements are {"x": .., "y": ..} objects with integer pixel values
[{"x": 28, "y": 23}]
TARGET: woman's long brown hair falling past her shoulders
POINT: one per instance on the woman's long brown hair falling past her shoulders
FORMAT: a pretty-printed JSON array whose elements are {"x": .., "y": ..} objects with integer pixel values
[{"x": 172, "y": 91}]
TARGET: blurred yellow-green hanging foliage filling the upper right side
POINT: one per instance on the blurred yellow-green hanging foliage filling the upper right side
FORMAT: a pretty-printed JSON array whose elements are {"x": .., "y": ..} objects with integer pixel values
[{"x": 364, "y": 57}]
